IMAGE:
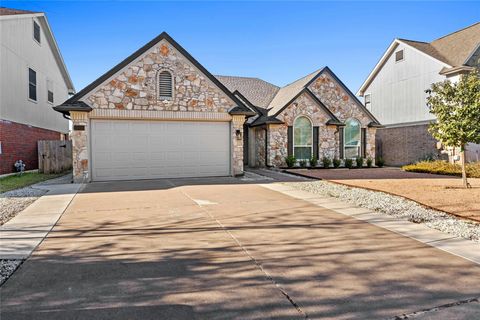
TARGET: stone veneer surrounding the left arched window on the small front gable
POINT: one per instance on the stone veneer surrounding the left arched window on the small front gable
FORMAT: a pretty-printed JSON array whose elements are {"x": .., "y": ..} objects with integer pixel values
[{"x": 303, "y": 105}]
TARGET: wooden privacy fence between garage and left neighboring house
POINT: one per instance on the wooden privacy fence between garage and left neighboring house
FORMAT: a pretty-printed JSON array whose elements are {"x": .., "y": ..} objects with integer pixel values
[{"x": 54, "y": 156}]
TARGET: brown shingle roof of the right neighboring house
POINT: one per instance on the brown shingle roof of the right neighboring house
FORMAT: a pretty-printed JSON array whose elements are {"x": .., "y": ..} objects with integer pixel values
[{"x": 453, "y": 49}]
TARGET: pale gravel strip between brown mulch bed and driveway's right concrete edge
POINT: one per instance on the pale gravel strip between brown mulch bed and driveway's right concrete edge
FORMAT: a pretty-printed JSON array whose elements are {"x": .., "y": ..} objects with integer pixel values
[{"x": 395, "y": 206}]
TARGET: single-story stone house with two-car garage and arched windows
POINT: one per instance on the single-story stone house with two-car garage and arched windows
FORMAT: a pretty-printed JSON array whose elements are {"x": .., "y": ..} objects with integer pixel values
[{"x": 161, "y": 114}]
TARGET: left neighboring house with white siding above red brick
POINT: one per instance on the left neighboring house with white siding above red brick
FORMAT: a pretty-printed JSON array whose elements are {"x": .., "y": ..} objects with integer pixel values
[{"x": 33, "y": 78}]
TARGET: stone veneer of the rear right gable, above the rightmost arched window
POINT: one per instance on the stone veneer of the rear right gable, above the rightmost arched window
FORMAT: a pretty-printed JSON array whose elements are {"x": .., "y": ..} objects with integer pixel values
[{"x": 341, "y": 104}]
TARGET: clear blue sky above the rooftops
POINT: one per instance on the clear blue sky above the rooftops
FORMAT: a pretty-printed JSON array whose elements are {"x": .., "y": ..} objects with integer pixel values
[{"x": 276, "y": 41}]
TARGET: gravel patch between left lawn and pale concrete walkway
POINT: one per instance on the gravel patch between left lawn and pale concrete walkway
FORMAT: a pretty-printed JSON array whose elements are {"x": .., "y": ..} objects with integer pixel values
[{"x": 13, "y": 202}]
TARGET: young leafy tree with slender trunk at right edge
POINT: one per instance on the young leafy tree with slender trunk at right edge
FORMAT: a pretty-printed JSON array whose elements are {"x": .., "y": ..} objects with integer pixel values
[{"x": 457, "y": 109}]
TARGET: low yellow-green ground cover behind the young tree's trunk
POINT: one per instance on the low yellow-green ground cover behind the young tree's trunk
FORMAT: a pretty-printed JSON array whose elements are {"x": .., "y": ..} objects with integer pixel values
[{"x": 444, "y": 167}]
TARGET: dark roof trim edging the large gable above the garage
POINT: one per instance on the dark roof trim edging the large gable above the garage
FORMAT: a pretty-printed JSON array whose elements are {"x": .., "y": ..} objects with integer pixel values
[{"x": 240, "y": 108}]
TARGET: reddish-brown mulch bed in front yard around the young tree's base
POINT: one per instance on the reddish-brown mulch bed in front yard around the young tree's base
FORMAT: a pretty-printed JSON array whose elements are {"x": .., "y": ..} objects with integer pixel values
[{"x": 444, "y": 193}]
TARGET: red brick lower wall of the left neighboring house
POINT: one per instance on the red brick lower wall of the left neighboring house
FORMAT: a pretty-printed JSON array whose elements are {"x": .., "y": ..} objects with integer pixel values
[{"x": 19, "y": 141}]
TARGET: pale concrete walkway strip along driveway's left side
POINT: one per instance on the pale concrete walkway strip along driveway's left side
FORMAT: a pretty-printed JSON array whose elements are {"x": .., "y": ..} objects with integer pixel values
[{"x": 23, "y": 233}]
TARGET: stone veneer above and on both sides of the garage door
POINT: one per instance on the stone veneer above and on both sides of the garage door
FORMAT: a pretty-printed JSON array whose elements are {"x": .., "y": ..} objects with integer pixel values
[{"x": 134, "y": 90}]
